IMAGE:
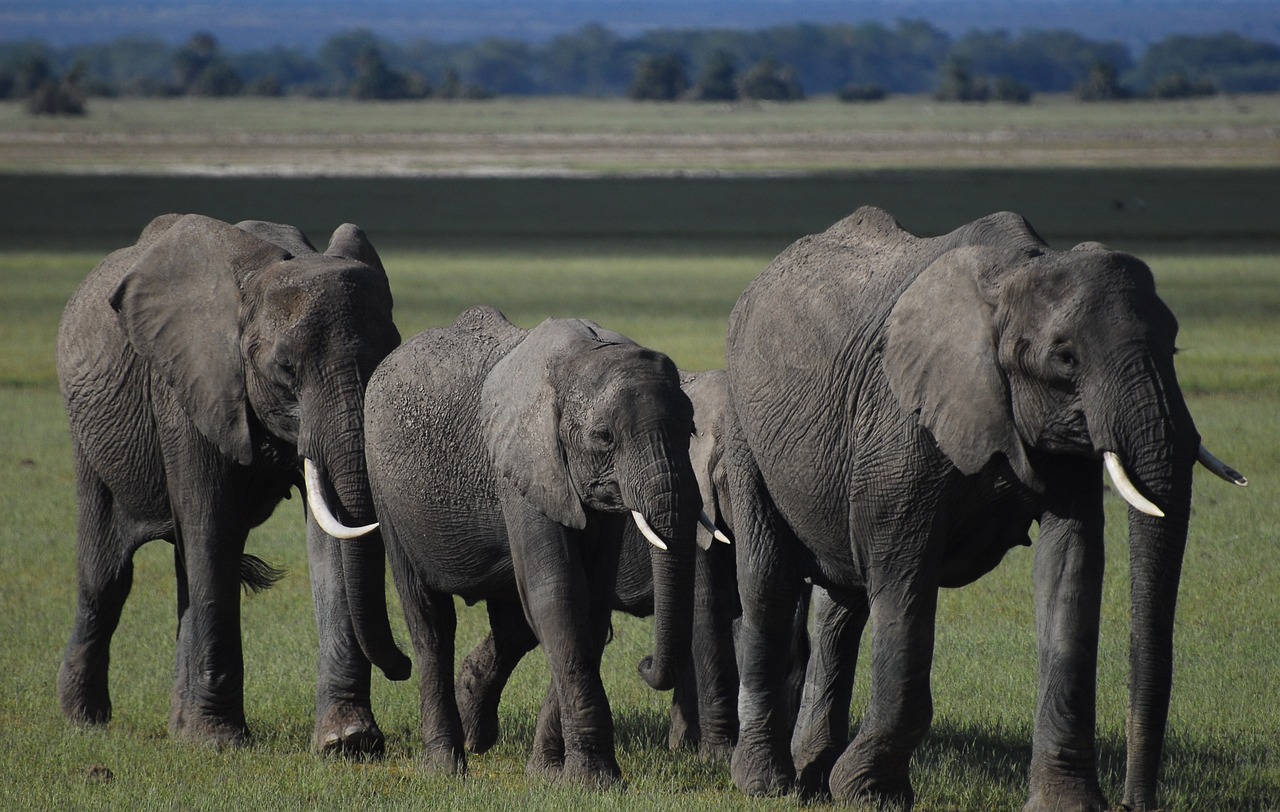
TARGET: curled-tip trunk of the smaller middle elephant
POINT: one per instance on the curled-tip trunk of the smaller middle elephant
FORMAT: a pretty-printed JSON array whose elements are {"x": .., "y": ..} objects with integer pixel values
[{"x": 666, "y": 494}]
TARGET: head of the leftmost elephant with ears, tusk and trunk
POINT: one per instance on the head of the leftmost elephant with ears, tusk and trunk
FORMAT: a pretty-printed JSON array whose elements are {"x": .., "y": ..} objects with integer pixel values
[{"x": 262, "y": 339}]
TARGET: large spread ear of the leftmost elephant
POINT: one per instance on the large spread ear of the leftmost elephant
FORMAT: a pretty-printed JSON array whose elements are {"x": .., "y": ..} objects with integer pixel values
[{"x": 180, "y": 308}]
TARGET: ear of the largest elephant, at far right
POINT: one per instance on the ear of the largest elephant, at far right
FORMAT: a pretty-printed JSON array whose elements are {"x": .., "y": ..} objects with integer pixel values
[{"x": 941, "y": 361}]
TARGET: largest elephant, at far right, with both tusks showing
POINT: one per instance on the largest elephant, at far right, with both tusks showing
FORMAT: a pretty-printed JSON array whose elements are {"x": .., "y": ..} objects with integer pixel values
[{"x": 902, "y": 410}]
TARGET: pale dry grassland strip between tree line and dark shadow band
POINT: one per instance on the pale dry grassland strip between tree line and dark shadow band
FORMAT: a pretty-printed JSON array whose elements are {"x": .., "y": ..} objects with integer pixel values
[{"x": 577, "y": 136}]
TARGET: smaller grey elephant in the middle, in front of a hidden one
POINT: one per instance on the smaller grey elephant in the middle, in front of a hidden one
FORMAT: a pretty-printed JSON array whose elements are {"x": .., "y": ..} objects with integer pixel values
[{"x": 505, "y": 464}]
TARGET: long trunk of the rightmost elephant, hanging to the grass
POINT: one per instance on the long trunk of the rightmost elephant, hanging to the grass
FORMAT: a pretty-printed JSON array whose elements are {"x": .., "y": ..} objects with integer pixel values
[{"x": 1159, "y": 450}]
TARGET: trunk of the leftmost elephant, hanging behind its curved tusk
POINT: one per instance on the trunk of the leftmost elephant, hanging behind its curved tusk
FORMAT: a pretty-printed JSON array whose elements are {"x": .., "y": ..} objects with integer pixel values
[{"x": 364, "y": 559}]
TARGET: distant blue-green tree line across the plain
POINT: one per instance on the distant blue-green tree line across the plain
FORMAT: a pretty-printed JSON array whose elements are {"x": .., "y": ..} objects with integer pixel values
[{"x": 857, "y": 62}]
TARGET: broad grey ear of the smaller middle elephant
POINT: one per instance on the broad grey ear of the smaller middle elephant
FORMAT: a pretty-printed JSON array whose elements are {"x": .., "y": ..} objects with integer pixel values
[{"x": 520, "y": 413}]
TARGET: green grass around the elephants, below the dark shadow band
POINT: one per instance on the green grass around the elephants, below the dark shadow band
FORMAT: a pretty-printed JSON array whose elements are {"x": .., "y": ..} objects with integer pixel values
[{"x": 1224, "y": 745}]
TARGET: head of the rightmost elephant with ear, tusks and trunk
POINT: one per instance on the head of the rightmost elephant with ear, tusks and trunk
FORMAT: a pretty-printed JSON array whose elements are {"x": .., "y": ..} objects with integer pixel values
[{"x": 1031, "y": 354}]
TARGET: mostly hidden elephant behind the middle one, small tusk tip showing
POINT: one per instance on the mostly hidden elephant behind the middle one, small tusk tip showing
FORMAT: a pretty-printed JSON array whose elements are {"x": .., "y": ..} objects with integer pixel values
[{"x": 705, "y": 701}]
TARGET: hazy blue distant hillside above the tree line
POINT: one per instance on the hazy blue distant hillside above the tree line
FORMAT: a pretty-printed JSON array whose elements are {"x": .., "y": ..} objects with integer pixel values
[{"x": 243, "y": 25}]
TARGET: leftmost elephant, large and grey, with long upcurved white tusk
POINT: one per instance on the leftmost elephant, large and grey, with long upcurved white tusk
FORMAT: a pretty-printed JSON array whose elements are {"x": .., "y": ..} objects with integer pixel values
[{"x": 199, "y": 367}]
